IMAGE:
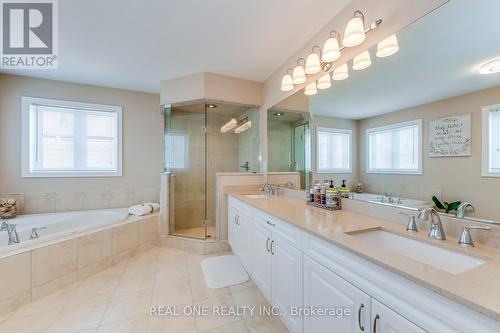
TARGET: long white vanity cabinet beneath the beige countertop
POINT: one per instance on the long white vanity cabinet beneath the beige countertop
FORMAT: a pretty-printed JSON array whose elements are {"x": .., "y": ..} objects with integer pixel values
[{"x": 295, "y": 268}]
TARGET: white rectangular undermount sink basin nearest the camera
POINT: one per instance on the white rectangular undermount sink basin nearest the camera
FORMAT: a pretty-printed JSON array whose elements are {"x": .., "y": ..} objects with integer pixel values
[{"x": 434, "y": 256}]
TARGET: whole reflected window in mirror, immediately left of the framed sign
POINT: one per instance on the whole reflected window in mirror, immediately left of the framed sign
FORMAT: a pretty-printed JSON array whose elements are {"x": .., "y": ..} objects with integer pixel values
[{"x": 396, "y": 148}]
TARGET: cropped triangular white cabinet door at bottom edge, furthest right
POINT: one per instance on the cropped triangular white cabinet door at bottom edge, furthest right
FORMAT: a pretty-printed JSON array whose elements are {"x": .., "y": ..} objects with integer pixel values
[{"x": 384, "y": 320}]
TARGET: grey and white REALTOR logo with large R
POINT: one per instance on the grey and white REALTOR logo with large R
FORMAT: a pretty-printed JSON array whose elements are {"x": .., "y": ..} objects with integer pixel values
[{"x": 29, "y": 34}]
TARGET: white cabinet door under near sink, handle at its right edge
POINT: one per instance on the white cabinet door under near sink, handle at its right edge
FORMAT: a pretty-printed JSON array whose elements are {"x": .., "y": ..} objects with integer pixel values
[{"x": 324, "y": 289}]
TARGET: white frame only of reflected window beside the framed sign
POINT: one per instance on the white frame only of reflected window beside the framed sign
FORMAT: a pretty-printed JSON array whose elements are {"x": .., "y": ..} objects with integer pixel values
[{"x": 419, "y": 171}]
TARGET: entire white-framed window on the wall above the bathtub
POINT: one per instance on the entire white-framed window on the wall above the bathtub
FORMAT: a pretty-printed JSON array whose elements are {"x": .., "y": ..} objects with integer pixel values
[{"x": 70, "y": 139}]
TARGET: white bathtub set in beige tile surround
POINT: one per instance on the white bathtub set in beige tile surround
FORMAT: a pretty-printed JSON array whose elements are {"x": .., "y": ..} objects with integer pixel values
[{"x": 52, "y": 226}]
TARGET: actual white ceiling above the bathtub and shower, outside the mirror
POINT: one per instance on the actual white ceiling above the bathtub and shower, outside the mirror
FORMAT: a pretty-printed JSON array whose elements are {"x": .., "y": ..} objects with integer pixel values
[{"x": 136, "y": 44}]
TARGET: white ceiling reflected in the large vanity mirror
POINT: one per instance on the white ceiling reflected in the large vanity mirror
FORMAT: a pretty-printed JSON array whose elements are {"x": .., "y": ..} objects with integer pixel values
[{"x": 439, "y": 57}]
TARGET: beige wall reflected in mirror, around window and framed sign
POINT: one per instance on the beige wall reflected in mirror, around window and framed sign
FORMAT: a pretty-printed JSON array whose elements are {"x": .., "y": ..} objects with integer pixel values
[{"x": 453, "y": 178}]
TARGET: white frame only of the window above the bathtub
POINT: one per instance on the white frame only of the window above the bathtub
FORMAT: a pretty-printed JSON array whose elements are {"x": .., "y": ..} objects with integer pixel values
[{"x": 26, "y": 149}]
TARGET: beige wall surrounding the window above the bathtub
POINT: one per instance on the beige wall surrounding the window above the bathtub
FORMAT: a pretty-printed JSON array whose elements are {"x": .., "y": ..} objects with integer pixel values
[{"x": 142, "y": 135}]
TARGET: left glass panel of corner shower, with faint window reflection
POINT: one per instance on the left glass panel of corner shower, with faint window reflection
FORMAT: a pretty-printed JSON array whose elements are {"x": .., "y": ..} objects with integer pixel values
[{"x": 186, "y": 162}]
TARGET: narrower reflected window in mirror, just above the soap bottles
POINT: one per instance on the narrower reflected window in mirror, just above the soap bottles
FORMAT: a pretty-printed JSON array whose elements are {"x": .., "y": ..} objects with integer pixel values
[{"x": 333, "y": 150}]
